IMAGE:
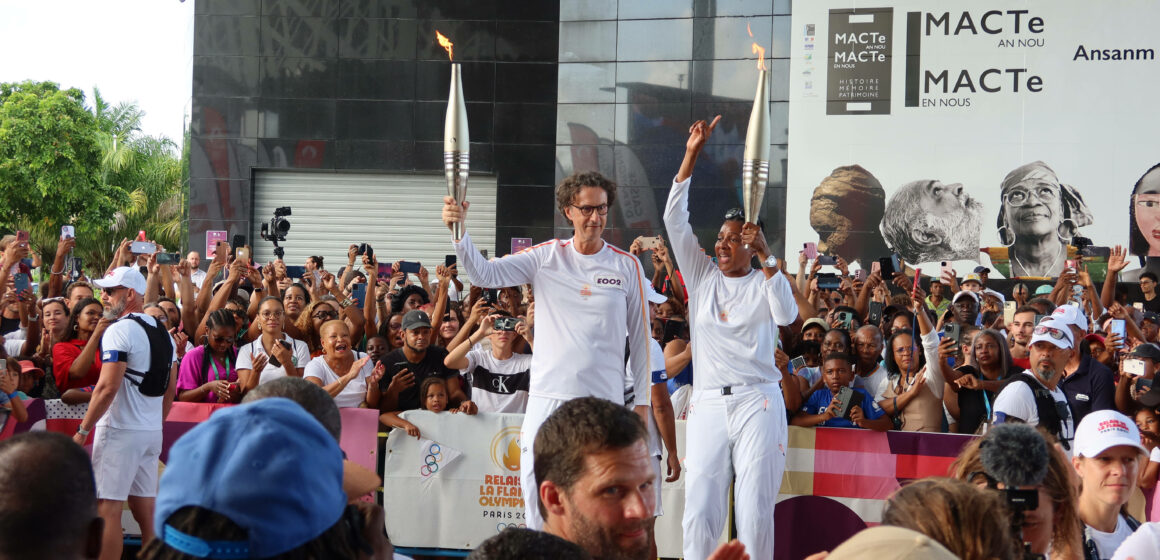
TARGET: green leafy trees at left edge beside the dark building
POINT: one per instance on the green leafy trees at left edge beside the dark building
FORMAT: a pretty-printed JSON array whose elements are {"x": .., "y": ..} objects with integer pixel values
[{"x": 64, "y": 164}]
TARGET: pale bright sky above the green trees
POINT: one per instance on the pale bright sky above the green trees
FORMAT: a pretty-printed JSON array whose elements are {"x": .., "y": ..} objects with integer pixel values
[{"x": 133, "y": 50}]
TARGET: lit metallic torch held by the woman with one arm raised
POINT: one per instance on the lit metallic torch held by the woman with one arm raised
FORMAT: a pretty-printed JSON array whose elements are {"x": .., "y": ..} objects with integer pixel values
[{"x": 756, "y": 162}]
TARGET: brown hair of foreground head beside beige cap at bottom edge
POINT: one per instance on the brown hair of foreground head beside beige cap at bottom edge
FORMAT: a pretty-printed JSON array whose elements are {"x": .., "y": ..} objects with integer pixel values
[{"x": 970, "y": 523}]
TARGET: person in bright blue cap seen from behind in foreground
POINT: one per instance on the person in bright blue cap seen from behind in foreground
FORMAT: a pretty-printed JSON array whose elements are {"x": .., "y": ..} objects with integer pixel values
[{"x": 259, "y": 481}]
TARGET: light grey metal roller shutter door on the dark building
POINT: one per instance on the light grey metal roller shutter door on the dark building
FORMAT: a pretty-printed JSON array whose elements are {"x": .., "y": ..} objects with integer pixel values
[{"x": 400, "y": 215}]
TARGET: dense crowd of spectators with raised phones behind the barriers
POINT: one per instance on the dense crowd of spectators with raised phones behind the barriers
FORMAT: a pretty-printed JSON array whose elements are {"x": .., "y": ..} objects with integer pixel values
[{"x": 932, "y": 351}]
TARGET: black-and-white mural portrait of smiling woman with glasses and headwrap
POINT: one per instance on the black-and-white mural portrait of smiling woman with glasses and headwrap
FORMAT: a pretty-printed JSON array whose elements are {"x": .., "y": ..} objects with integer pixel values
[{"x": 1039, "y": 217}]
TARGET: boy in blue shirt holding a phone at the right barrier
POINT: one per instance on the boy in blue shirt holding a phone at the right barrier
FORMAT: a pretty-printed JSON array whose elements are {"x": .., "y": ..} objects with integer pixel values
[{"x": 822, "y": 408}]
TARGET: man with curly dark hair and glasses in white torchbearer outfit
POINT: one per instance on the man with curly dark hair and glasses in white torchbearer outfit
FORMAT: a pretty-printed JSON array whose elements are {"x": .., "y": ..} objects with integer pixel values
[{"x": 591, "y": 296}]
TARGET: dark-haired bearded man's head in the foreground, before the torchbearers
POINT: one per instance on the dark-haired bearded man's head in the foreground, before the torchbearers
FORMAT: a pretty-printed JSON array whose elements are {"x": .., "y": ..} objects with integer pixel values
[{"x": 596, "y": 481}]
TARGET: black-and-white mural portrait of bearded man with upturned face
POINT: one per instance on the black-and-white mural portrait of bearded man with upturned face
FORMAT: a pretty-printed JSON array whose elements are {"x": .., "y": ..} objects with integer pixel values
[{"x": 927, "y": 221}]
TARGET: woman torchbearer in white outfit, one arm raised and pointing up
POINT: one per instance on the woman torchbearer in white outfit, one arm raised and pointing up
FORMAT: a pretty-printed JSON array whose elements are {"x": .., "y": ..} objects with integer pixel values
[{"x": 737, "y": 428}]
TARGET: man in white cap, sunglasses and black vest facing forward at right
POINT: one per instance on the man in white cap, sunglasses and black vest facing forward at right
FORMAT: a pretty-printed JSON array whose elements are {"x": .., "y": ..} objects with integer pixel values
[{"x": 1034, "y": 397}]
